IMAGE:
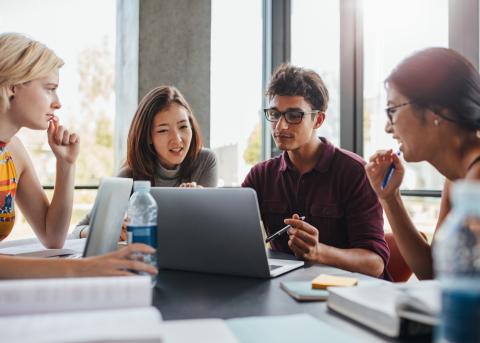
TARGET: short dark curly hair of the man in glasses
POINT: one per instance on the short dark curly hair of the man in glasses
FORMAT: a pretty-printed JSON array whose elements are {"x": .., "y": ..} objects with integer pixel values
[{"x": 289, "y": 80}]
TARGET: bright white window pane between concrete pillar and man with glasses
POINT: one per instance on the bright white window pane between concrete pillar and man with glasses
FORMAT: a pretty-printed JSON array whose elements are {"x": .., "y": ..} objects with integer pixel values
[{"x": 236, "y": 87}]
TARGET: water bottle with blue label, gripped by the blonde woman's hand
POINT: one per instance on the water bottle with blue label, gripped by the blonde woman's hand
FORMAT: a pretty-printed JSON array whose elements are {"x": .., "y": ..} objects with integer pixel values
[{"x": 142, "y": 220}]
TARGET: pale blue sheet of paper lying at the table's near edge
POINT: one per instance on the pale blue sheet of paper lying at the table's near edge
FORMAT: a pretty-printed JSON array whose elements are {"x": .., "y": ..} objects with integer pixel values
[{"x": 298, "y": 328}]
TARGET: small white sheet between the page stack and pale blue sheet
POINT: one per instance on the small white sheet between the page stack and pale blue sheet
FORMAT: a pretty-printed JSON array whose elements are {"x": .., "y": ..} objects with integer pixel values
[{"x": 198, "y": 331}]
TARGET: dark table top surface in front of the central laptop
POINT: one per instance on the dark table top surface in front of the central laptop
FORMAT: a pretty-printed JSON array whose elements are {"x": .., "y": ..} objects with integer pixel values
[{"x": 189, "y": 295}]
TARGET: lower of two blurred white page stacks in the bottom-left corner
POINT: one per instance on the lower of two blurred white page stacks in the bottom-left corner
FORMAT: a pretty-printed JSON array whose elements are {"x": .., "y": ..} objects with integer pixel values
[{"x": 126, "y": 325}]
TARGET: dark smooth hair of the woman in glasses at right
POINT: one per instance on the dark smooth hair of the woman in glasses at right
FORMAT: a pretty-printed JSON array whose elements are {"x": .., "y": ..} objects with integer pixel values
[{"x": 439, "y": 79}]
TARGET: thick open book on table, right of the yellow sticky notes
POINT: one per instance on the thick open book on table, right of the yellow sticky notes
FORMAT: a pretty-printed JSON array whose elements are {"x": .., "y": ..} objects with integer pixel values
[{"x": 391, "y": 309}]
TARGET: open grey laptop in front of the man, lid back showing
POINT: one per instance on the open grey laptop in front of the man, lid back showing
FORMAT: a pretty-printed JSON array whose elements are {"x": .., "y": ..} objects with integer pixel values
[{"x": 214, "y": 230}]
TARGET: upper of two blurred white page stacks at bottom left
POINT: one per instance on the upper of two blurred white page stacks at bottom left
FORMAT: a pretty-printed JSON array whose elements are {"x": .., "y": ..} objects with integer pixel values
[{"x": 73, "y": 294}]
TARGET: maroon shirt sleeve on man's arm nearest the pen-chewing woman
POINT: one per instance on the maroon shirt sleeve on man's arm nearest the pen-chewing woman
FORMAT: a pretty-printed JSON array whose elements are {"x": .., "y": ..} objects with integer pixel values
[{"x": 364, "y": 215}]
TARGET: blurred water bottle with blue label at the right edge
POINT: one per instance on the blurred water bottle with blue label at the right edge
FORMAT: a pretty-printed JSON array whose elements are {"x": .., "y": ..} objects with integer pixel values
[{"x": 457, "y": 266}]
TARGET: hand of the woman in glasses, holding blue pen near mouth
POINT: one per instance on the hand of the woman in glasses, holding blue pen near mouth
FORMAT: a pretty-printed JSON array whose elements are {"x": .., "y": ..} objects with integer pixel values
[{"x": 377, "y": 168}]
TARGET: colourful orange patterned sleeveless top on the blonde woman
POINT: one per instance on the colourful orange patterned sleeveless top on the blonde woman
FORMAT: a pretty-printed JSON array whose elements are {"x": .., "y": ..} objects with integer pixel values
[{"x": 8, "y": 187}]
